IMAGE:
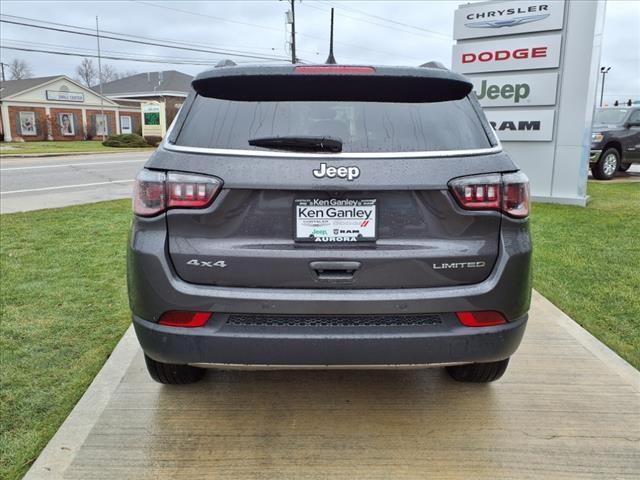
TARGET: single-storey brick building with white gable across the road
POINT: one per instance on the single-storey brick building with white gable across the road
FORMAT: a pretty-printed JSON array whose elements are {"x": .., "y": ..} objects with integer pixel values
[{"x": 58, "y": 108}]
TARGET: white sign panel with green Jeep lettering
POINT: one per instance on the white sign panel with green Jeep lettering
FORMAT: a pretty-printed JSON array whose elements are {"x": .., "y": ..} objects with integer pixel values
[{"x": 516, "y": 90}]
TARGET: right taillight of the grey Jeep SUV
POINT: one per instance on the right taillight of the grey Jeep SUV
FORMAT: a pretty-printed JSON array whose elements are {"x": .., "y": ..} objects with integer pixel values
[{"x": 508, "y": 193}]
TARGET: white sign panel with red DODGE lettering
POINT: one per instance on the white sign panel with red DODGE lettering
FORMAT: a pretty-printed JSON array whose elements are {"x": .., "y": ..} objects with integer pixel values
[{"x": 526, "y": 53}]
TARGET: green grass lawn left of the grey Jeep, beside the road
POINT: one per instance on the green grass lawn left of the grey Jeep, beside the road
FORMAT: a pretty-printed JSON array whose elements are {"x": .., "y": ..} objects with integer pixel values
[{"x": 63, "y": 306}]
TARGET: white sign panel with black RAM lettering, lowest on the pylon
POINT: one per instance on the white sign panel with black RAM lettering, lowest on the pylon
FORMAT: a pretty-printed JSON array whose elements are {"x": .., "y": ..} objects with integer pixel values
[{"x": 522, "y": 125}]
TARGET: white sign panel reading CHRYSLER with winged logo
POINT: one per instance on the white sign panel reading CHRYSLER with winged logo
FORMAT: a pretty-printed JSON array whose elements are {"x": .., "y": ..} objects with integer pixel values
[{"x": 490, "y": 19}]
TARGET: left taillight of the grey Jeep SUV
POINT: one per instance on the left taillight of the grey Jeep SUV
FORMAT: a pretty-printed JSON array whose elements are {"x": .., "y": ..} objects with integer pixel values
[{"x": 156, "y": 191}]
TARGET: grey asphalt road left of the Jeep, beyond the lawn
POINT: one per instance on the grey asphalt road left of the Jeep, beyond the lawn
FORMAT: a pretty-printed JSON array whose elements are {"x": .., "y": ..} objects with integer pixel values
[{"x": 49, "y": 182}]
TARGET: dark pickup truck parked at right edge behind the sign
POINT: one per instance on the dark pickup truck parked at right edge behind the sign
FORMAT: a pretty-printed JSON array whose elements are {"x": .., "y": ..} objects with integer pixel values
[{"x": 615, "y": 141}]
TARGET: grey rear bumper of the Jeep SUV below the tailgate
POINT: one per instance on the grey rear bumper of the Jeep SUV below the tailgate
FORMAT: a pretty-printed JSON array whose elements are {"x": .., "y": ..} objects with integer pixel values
[{"x": 155, "y": 288}]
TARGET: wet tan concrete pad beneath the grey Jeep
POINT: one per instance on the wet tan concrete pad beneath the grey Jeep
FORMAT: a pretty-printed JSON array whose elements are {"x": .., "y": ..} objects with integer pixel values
[{"x": 567, "y": 408}]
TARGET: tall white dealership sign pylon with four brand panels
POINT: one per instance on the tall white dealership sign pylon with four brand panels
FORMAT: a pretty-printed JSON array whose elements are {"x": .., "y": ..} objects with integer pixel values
[{"x": 534, "y": 66}]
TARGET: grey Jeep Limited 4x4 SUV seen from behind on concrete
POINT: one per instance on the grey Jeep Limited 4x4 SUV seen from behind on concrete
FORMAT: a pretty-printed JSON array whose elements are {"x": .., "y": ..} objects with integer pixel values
[{"x": 330, "y": 216}]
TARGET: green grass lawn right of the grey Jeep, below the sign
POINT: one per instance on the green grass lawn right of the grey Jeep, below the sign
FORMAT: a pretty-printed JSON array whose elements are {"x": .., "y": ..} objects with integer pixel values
[{"x": 587, "y": 262}]
